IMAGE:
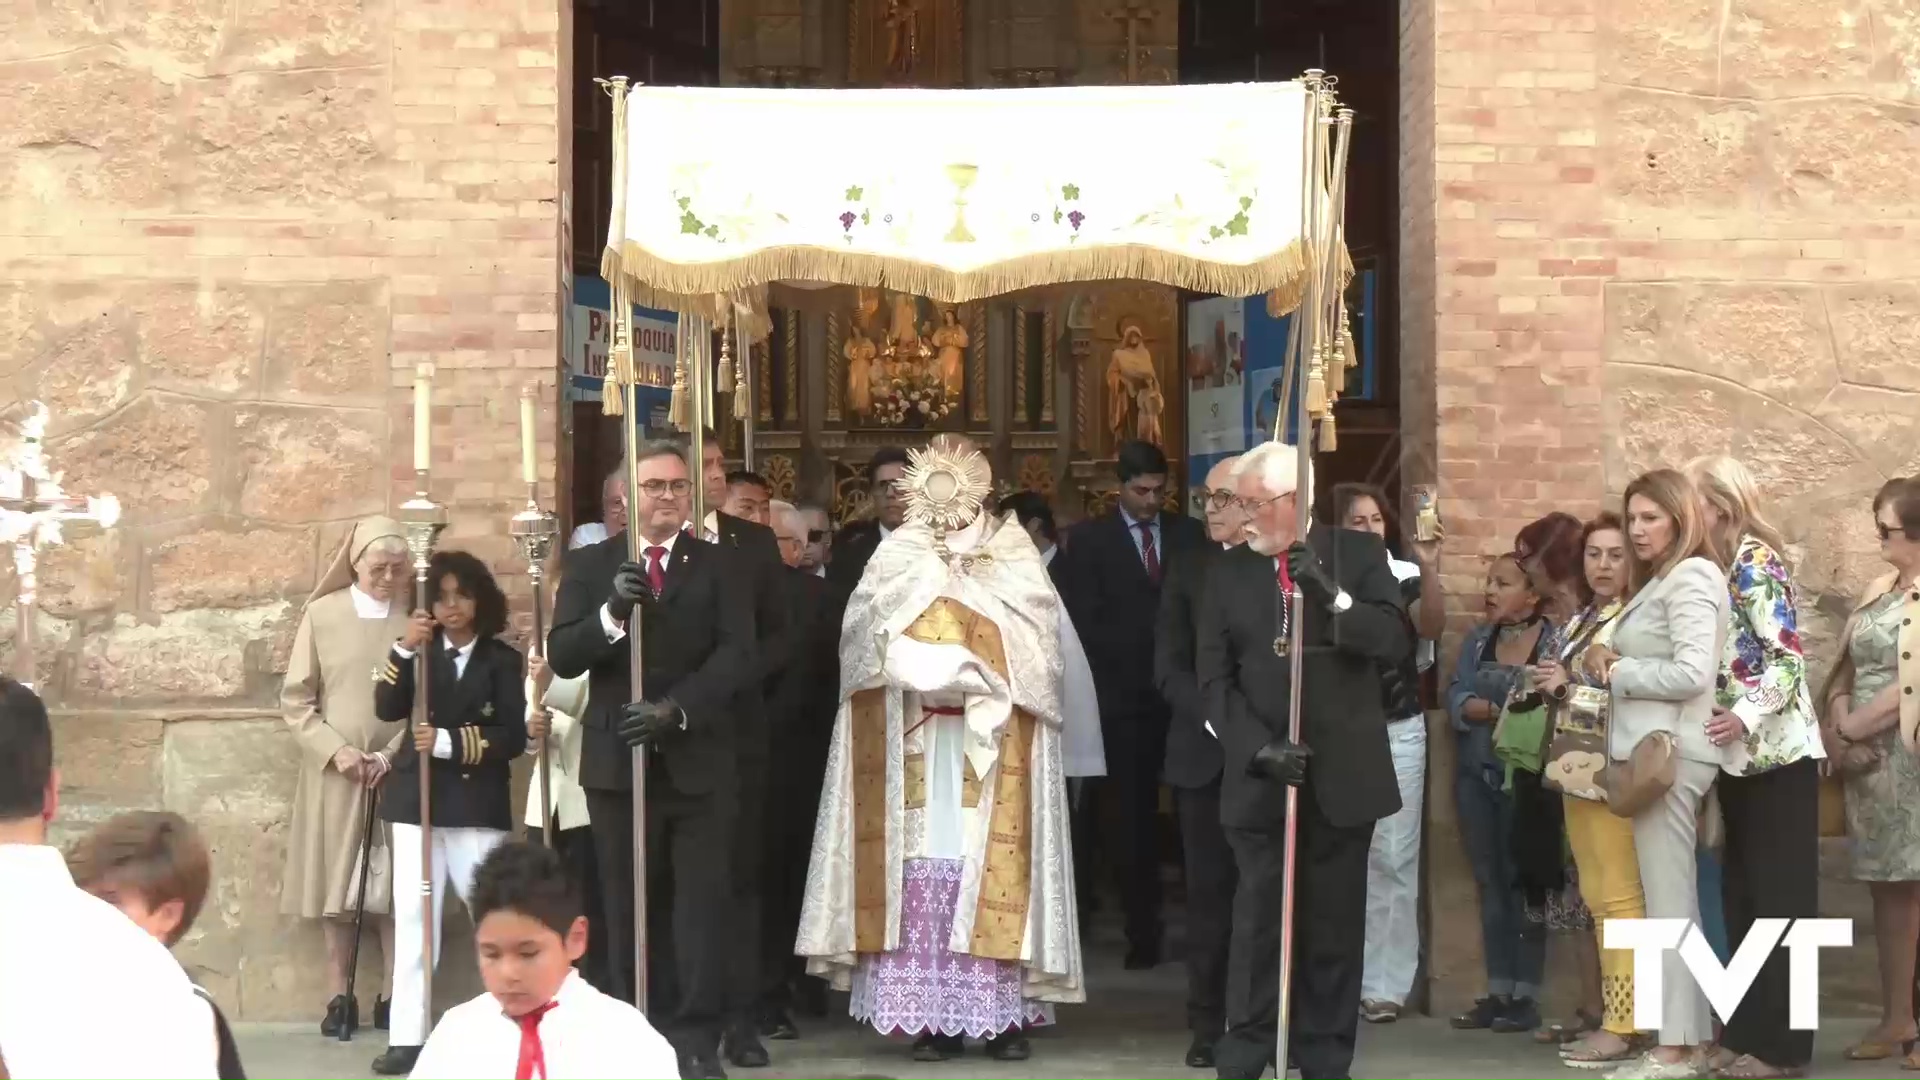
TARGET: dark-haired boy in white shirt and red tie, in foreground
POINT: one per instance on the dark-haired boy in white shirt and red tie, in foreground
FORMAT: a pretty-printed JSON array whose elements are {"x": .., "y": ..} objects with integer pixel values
[{"x": 539, "y": 1019}]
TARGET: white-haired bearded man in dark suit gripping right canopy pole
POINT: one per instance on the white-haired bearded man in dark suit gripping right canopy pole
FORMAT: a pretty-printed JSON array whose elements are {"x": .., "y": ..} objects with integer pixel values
[{"x": 1353, "y": 622}]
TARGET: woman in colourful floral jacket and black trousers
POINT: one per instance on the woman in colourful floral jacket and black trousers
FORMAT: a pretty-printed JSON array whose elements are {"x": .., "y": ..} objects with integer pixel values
[{"x": 1771, "y": 785}]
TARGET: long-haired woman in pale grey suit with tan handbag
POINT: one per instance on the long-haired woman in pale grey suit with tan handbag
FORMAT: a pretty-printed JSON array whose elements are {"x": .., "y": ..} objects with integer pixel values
[{"x": 1662, "y": 672}]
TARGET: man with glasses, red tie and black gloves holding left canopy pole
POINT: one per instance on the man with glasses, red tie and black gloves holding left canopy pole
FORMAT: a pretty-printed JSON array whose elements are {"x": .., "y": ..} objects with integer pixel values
[{"x": 698, "y": 635}]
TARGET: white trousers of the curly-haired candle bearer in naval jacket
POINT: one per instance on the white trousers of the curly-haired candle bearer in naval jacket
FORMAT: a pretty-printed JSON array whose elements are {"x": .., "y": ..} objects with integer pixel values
[{"x": 458, "y": 854}]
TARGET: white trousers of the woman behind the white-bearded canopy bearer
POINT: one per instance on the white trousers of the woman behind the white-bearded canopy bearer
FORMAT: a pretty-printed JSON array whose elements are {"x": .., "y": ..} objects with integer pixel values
[{"x": 1395, "y": 875}]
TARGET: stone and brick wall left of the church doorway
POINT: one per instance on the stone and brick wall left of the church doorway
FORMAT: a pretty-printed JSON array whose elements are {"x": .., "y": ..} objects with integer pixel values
[{"x": 228, "y": 232}]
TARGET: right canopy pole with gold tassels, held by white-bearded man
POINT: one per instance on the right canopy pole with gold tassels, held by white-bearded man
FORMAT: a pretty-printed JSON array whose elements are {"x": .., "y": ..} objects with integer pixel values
[{"x": 1316, "y": 347}]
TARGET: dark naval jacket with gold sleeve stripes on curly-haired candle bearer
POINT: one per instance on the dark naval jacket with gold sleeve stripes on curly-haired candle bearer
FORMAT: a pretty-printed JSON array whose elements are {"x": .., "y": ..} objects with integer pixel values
[{"x": 485, "y": 716}]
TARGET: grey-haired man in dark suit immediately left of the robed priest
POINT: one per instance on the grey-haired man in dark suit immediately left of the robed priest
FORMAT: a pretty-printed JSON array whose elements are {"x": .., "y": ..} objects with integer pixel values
[{"x": 802, "y": 700}]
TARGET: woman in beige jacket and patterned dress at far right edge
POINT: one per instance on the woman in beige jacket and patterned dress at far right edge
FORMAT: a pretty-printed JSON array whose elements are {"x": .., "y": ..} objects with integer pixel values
[{"x": 1869, "y": 731}]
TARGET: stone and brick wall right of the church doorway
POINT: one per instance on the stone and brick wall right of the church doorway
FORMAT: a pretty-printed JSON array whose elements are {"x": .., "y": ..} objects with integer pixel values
[{"x": 1669, "y": 230}]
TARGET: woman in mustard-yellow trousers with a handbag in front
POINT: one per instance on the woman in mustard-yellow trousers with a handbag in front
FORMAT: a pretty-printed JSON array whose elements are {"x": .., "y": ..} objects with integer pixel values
[{"x": 1602, "y": 843}]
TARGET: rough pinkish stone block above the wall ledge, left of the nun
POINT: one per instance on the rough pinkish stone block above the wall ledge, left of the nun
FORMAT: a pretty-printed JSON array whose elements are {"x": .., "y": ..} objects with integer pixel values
[{"x": 191, "y": 656}]
